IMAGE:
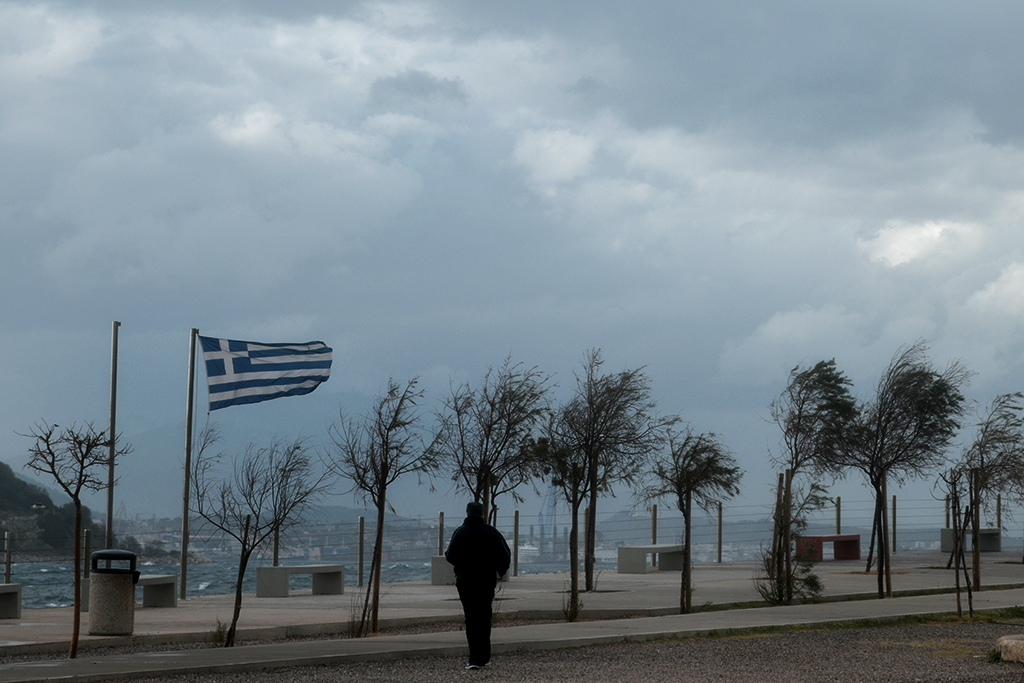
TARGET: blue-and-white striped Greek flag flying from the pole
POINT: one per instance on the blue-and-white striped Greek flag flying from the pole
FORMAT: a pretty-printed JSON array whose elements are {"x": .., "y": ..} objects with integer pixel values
[{"x": 248, "y": 372}]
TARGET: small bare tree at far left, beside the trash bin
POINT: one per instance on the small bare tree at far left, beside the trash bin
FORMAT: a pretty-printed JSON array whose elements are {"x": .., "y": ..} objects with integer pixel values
[{"x": 77, "y": 459}]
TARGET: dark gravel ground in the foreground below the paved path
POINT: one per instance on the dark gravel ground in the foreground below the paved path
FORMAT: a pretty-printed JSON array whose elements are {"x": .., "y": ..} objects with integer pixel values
[{"x": 946, "y": 652}]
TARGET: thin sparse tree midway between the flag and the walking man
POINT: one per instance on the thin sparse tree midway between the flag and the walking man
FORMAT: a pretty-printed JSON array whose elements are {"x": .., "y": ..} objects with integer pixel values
[{"x": 375, "y": 452}]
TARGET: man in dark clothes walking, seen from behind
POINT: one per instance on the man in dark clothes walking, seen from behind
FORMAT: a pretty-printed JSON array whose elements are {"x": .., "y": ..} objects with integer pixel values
[{"x": 481, "y": 557}]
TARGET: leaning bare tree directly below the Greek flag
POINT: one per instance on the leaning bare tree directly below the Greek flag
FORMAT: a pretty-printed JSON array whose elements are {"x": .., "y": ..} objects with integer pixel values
[{"x": 267, "y": 493}]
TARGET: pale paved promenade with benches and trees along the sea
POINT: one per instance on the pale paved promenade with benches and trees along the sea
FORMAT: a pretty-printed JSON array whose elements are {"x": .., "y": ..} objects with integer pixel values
[{"x": 624, "y": 608}]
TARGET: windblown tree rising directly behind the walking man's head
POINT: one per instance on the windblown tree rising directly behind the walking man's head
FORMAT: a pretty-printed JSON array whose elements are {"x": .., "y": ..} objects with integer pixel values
[{"x": 484, "y": 432}]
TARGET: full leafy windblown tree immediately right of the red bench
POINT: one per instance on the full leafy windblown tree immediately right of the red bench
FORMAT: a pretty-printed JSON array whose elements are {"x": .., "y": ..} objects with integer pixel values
[{"x": 904, "y": 434}]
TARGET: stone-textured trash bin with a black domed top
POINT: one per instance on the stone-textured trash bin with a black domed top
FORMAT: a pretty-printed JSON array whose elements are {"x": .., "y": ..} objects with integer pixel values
[{"x": 112, "y": 593}]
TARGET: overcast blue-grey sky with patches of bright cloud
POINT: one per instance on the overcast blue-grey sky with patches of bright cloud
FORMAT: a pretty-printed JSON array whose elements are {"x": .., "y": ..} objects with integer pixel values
[{"x": 716, "y": 191}]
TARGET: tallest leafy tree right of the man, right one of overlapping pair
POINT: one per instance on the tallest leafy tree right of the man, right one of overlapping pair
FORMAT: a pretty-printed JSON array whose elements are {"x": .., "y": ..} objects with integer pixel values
[{"x": 611, "y": 423}]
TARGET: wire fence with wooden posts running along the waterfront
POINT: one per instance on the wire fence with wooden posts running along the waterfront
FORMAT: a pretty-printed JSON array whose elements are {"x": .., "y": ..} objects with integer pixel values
[{"x": 727, "y": 534}]
